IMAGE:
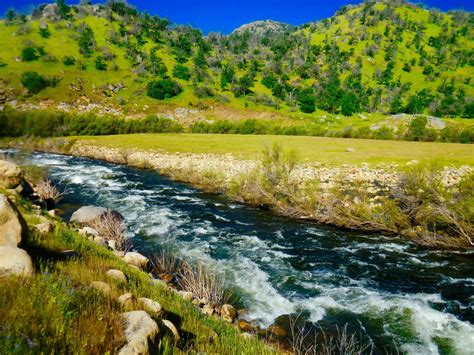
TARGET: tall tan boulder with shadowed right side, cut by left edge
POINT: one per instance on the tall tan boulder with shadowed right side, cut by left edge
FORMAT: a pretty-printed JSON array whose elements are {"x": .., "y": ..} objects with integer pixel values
[{"x": 12, "y": 225}]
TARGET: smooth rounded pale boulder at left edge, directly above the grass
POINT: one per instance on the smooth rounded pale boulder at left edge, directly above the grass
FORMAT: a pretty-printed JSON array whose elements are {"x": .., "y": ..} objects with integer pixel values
[{"x": 15, "y": 261}]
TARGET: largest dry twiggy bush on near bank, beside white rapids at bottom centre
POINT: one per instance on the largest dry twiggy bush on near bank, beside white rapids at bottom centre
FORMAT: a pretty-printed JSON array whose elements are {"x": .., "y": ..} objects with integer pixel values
[{"x": 204, "y": 284}]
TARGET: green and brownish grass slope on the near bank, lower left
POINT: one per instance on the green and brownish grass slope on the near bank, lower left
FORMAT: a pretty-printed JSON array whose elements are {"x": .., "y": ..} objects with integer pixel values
[{"x": 56, "y": 310}]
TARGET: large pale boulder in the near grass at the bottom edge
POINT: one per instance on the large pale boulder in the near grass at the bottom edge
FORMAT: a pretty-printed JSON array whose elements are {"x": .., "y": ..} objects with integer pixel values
[{"x": 140, "y": 330}]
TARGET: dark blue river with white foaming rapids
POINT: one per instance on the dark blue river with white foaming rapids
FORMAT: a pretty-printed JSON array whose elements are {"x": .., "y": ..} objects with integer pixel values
[{"x": 404, "y": 298}]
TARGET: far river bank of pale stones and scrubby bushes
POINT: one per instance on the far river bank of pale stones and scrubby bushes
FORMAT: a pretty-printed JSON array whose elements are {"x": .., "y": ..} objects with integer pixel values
[{"x": 355, "y": 197}]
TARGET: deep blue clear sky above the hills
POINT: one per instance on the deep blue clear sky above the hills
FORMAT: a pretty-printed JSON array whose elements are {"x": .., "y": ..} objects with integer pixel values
[{"x": 225, "y": 15}]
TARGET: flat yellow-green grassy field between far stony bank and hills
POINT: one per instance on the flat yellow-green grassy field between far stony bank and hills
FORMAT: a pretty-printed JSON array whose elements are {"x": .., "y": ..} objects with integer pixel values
[{"x": 332, "y": 151}]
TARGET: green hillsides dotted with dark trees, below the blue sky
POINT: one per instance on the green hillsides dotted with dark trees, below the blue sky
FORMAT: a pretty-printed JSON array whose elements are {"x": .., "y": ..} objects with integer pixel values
[{"x": 385, "y": 57}]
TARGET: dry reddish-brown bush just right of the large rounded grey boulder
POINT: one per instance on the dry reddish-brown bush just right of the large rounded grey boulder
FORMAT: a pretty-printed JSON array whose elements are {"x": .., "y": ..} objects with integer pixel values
[{"x": 111, "y": 228}]
